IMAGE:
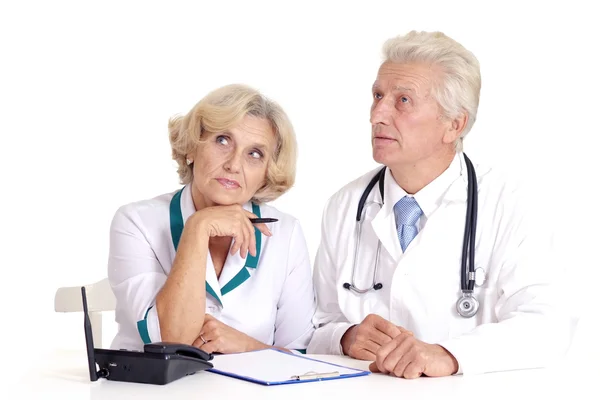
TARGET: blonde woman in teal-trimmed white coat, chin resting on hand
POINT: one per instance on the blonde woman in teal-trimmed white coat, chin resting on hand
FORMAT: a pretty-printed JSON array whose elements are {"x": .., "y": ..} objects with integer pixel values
[{"x": 191, "y": 266}]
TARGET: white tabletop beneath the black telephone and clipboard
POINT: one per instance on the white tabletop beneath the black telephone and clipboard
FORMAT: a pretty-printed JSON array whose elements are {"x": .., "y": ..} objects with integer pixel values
[{"x": 64, "y": 375}]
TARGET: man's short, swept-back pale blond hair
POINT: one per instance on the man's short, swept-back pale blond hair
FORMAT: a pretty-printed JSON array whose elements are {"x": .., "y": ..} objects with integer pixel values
[{"x": 460, "y": 86}]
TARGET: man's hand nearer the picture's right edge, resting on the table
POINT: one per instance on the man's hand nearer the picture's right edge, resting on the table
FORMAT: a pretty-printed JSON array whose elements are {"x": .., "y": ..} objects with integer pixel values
[{"x": 405, "y": 356}]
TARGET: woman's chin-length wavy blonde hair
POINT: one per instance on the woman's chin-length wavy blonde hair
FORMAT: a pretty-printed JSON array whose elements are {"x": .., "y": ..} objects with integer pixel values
[{"x": 224, "y": 108}]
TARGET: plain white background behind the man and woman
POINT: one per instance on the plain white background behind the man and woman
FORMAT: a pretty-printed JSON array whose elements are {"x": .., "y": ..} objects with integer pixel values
[{"x": 86, "y": 89}]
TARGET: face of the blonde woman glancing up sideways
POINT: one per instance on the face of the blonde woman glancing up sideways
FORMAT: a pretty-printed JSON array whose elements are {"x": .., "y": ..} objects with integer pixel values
[{"x": 230, "y": 166}]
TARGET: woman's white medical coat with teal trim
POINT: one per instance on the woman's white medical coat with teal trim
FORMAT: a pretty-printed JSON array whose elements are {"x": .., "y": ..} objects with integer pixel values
[{"x": 274, "y": 305}]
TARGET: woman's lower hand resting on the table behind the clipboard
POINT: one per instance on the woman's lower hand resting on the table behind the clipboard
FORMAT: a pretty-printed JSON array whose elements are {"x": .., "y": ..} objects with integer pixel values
[{"x": 216, "y": 337}]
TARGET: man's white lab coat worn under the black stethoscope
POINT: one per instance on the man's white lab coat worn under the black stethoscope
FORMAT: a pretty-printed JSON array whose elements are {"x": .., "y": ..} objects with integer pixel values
[{"x": 518, "y": 324}]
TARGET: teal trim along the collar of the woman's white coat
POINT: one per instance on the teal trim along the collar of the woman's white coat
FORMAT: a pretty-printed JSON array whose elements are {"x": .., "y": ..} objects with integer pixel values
[{"x": 176, "y": 221}]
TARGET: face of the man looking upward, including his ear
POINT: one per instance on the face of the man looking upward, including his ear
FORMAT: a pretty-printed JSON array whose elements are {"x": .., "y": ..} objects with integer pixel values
[{"x": 407, "y": 123}]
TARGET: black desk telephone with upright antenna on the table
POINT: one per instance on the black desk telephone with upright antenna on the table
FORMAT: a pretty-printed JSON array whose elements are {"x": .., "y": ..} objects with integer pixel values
[{"x": 159, "y": 363}]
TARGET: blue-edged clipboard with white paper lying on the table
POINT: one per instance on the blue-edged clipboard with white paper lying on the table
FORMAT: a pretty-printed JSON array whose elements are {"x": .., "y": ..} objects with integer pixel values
[{"x": 272, "y": 367}]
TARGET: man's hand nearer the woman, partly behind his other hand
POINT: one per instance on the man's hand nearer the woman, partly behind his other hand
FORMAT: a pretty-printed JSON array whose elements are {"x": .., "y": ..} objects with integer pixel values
[{"x": 363, "y": 340}]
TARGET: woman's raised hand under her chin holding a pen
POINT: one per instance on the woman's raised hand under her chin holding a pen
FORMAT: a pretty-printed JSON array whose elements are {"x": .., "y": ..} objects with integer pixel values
[{"x": 231, "y": 221}]
